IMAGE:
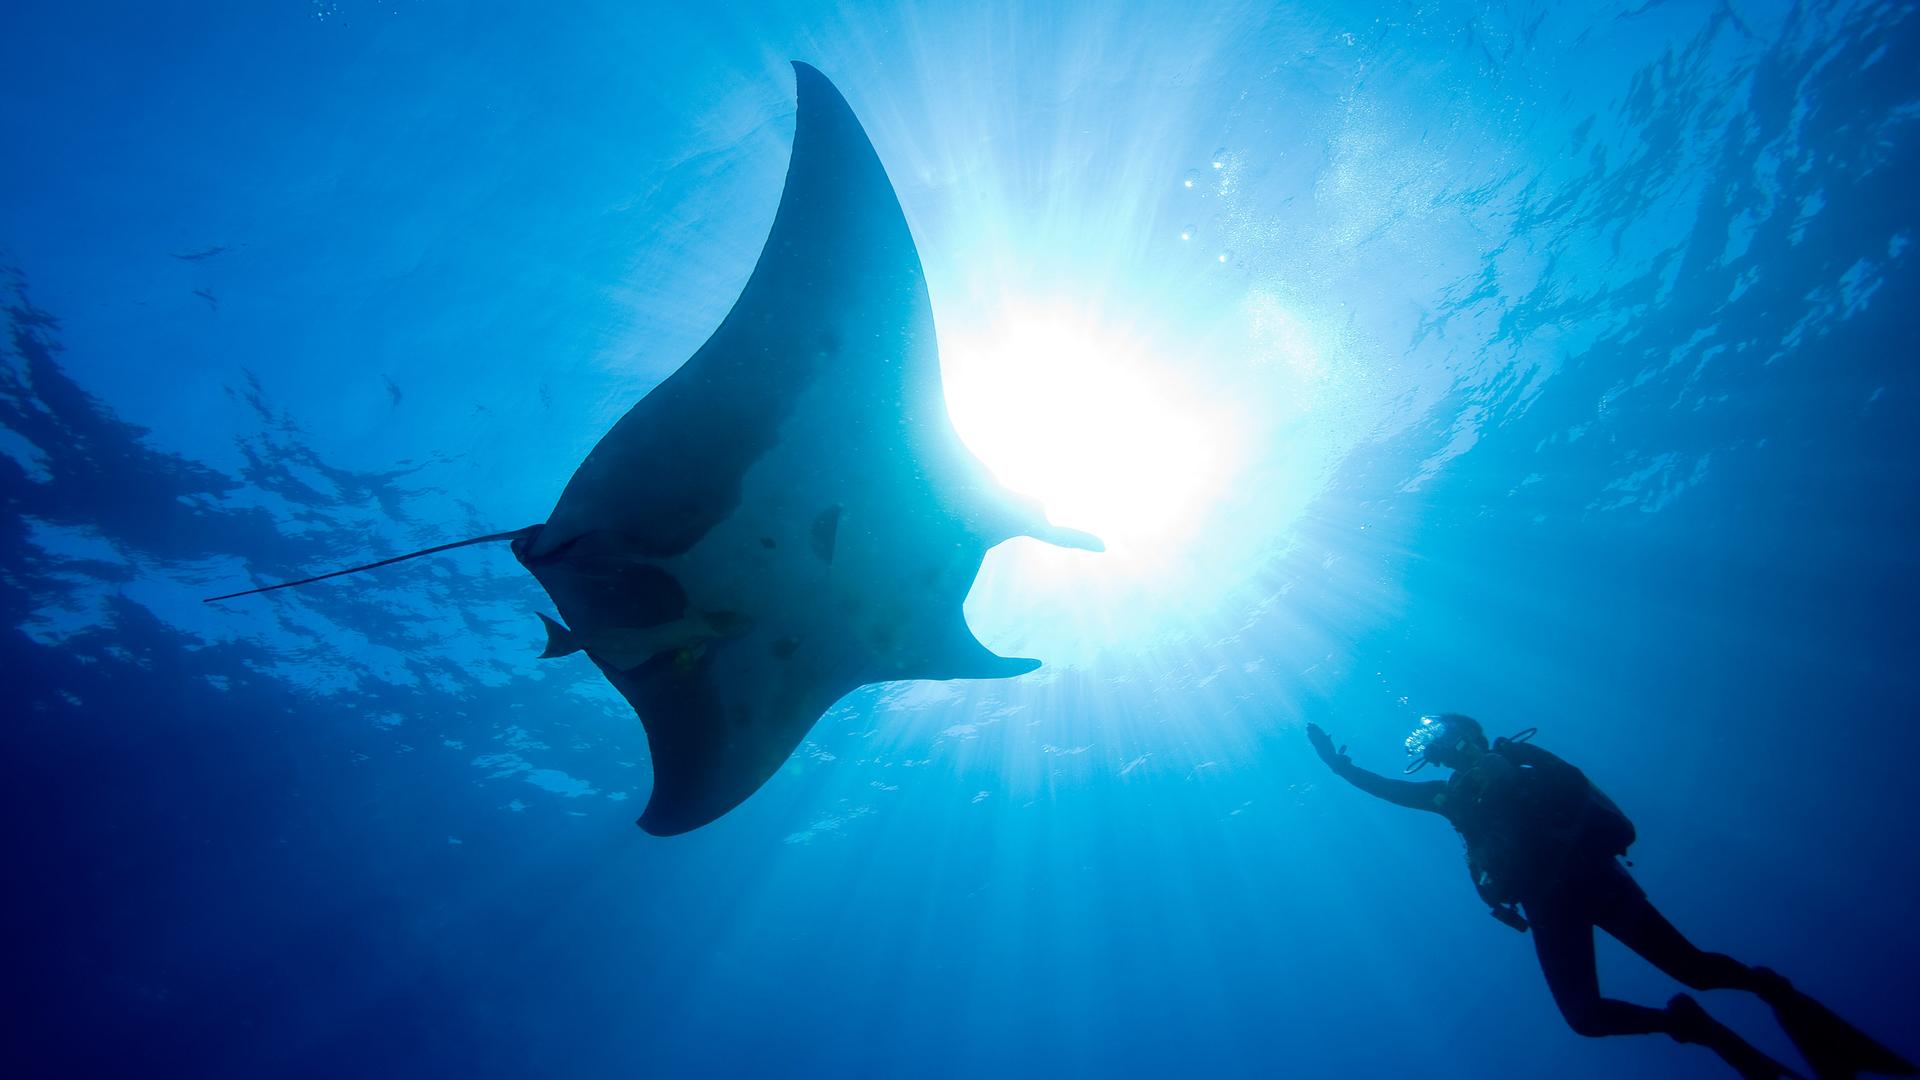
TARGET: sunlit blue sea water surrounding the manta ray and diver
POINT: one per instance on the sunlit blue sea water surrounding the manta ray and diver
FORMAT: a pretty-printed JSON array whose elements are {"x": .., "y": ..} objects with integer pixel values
[{"x": 1552, "y": 366}]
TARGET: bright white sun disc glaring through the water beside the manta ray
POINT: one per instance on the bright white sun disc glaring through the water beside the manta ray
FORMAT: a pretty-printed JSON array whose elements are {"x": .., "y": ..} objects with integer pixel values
[{"x": 1092, "y": 424}]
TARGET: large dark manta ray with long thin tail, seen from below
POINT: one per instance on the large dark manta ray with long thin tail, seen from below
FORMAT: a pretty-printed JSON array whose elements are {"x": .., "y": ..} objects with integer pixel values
[{"x": 790, "y": 516}]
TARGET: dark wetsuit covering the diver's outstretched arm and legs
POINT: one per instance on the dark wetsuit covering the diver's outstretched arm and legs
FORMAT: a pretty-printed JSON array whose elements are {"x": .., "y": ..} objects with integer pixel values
[{"x": 1589, "y": 891}]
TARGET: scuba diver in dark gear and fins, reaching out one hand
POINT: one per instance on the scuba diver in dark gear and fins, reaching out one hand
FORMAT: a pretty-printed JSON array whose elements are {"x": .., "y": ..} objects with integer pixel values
[{"x": 1545, "y": 850}]
